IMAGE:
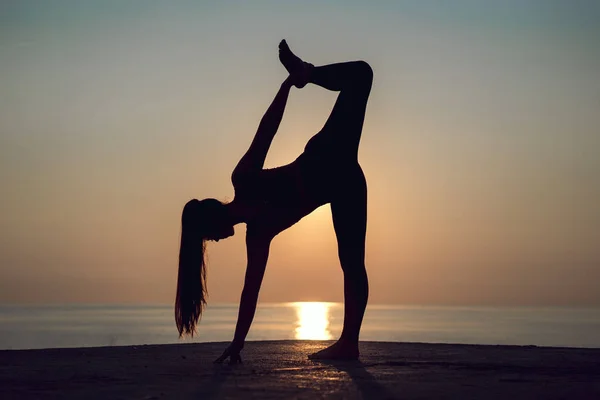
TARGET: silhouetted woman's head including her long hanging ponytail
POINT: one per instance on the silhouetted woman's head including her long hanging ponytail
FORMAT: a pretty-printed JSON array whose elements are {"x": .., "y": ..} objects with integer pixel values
[{"x": 201, "y": 220}]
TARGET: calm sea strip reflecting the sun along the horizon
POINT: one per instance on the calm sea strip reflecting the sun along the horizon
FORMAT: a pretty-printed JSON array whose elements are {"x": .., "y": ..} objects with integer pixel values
[{"x": 56, "y": 326}]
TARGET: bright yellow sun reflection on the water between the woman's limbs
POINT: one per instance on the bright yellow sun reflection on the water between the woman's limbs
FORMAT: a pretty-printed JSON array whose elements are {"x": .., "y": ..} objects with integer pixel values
[{"x": 313, "y": 321}]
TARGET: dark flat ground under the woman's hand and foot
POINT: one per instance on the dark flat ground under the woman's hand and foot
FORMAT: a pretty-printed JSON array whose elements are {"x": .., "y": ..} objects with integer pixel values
[{"x": 280, "y": 369}]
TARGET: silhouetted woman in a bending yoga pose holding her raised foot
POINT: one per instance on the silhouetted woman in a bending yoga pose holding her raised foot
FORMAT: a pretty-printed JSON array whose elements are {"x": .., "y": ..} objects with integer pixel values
[{"x": 272, "y": 200}]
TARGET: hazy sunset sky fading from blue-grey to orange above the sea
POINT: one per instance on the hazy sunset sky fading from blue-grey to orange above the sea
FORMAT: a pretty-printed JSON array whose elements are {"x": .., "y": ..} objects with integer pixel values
[{"x": 480, "y": 146}]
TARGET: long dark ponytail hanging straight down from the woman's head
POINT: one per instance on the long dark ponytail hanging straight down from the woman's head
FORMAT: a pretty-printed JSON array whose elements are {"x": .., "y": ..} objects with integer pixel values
[{"x": 191, "y": 278}]
